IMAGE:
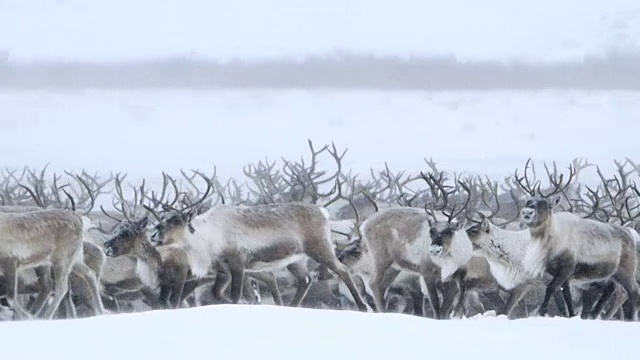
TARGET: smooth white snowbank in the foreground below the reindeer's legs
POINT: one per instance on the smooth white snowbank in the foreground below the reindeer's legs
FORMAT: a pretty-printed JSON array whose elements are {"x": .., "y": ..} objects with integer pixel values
[{"x": 259, "y": 331}]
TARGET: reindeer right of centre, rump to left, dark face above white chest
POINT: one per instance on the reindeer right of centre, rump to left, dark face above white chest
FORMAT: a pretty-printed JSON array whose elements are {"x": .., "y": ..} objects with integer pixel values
[{"x": 417, "y": 241}]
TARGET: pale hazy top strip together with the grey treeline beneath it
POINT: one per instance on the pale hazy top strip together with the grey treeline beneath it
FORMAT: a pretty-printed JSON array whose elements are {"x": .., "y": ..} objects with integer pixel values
[{"x": 404, "y": 44}]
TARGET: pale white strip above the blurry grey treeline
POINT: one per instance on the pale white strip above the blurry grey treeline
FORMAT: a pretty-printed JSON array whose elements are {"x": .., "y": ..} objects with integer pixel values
[{"x": 119, "y": 30}]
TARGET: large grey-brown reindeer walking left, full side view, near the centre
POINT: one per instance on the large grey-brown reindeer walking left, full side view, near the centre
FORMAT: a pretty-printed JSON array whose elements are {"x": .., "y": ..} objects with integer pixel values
[{"x": 235, "y": 239}]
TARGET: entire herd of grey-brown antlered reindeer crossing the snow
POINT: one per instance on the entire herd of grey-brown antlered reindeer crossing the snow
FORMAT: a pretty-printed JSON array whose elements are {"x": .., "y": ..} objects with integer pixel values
[{"x": 432, "y": 244}]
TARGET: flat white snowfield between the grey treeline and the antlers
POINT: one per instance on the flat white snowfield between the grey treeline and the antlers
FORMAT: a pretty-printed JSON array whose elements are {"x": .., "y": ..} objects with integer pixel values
[{"x": 145, "y": 132}]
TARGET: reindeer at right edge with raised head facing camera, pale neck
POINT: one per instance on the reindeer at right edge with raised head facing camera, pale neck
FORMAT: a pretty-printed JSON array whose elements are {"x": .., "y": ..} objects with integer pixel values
[{"x": 571, "y": 248}]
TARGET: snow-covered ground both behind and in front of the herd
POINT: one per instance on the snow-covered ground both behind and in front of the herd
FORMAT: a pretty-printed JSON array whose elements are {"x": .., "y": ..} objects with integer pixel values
[{"x": 145, "y": 132}]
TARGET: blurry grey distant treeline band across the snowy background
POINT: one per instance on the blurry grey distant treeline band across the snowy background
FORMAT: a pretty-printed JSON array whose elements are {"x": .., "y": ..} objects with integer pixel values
[{"x": 348, "y": 71}]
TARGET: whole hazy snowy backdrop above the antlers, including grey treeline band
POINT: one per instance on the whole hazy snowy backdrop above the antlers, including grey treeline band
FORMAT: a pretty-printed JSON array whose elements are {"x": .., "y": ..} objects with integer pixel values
[{"x": 150, "y": 86}]
